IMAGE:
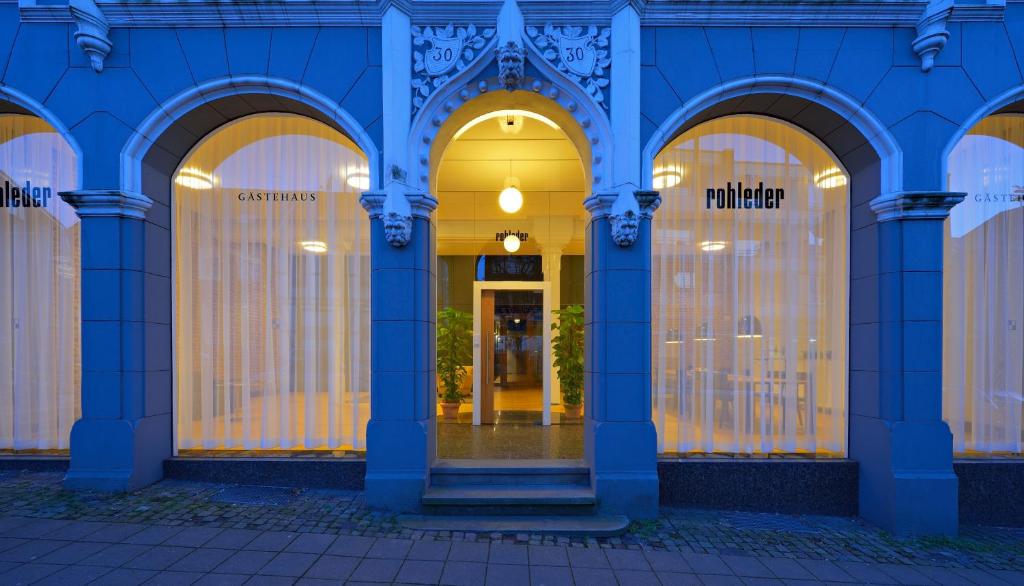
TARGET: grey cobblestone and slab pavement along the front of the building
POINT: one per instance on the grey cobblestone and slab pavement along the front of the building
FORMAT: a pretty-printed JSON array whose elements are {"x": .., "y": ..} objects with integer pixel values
[{"x": 184, "y": 533}]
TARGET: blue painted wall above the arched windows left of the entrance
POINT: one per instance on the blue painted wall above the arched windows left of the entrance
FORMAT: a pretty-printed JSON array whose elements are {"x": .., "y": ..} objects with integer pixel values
[{"x": 148, "y": 67}]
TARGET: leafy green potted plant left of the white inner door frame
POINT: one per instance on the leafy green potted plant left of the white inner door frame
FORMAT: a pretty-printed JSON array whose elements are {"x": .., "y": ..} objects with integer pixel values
[{"x": 455, "y": 340}]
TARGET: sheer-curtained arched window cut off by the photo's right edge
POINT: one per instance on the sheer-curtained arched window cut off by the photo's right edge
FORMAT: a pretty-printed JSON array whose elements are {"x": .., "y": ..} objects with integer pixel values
[{"x": 984, "y": 288}]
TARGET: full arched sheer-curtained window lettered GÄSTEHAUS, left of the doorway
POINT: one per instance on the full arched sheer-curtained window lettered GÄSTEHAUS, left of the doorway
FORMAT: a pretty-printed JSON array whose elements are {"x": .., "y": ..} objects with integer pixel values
[{"x": 272, "y": 288}]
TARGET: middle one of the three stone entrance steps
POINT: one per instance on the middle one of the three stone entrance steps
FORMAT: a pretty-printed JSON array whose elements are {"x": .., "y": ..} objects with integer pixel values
[{"x": 506, "y": 495}]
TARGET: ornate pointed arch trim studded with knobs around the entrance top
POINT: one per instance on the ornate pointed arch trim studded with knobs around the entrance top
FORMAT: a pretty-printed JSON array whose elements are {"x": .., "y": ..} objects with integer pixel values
[{"x": 563, "y": 93}]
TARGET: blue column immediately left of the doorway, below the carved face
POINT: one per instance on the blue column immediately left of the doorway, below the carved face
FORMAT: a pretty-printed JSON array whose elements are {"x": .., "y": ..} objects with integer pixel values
[{"x": 401, "y": 434}]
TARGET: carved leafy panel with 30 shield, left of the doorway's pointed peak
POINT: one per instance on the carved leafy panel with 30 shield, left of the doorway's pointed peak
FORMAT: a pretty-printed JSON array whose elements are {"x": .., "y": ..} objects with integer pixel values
[{"x": 445, "y": 51}]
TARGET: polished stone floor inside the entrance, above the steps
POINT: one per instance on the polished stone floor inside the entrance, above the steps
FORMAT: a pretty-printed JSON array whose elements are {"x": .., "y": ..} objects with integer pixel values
[{"x": 516, "y": 436}]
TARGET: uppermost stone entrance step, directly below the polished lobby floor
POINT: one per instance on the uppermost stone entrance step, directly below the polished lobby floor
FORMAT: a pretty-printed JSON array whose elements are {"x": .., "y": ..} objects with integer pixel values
[{"x": 480, "y": 473}]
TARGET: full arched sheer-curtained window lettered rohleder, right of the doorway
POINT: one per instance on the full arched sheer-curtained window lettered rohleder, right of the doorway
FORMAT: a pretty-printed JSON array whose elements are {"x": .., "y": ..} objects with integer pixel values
[{"x": 750, "y": 306}]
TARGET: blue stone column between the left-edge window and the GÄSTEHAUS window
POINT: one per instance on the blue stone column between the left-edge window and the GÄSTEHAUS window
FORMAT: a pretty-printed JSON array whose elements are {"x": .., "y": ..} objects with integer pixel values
[{"x": 124, "y": 435}]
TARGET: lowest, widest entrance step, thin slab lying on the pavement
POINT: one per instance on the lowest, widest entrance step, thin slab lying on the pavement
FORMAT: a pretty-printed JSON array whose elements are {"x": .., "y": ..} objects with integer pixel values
[{"x": 557, "y": 525}]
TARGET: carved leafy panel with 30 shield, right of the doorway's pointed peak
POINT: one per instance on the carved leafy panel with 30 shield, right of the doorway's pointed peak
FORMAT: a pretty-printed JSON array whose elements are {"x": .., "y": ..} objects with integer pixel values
[{"x": 583, "y": 56}]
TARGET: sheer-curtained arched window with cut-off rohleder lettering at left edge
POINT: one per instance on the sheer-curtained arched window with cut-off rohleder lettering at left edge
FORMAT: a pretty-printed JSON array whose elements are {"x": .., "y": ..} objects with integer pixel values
[{"x": 39, "y": 305}]
